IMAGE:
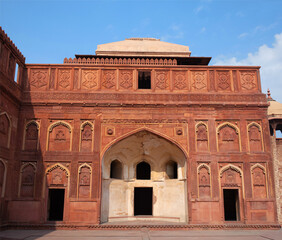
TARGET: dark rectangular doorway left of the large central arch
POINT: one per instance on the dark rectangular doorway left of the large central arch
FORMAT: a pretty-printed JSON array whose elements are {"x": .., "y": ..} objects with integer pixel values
[{"x": 56, "y": 204}]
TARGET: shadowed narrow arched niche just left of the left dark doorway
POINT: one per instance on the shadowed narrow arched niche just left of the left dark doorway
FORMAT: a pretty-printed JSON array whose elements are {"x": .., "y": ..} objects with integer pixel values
[{"x": 27, "y": 181}]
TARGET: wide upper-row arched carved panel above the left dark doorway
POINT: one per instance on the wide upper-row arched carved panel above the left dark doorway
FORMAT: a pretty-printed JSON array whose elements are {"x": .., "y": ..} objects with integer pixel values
[{"x": 59, "y": 138}]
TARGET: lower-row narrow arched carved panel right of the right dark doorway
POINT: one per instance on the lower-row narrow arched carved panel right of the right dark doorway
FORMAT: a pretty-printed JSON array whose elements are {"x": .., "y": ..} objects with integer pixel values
[{"x": 259, "y": 185}]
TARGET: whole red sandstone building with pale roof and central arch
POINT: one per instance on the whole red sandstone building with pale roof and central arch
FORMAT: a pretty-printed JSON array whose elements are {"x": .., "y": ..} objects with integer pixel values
[{"x": 139, "y": 131}]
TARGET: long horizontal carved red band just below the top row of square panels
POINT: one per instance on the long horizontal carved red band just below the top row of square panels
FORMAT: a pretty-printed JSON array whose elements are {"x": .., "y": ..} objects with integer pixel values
[{"x": 176, "y": 98}]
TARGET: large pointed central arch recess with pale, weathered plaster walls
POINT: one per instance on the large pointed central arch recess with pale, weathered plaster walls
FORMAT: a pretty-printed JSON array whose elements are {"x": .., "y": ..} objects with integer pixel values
[{"x": 144, "y": 189}]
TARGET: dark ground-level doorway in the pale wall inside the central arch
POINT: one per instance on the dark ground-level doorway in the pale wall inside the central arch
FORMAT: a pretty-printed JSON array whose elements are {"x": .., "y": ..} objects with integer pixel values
[{"x": 143, "y": 201}]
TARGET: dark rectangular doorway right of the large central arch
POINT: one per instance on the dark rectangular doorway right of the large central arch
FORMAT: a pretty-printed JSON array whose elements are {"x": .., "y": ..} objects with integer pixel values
[{"x": 231, "y": 204}]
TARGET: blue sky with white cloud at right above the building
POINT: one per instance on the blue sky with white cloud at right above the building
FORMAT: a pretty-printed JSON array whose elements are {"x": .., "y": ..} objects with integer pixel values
[{"x": 232, "y": 32}]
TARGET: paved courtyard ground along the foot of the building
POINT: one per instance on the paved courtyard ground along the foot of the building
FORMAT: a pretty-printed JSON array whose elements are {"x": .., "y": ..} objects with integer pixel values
[{"x": 143, "y": 234}]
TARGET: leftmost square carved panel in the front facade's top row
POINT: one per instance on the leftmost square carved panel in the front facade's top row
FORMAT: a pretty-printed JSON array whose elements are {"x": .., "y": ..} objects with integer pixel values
[{"x": 38, "y": 79}]
